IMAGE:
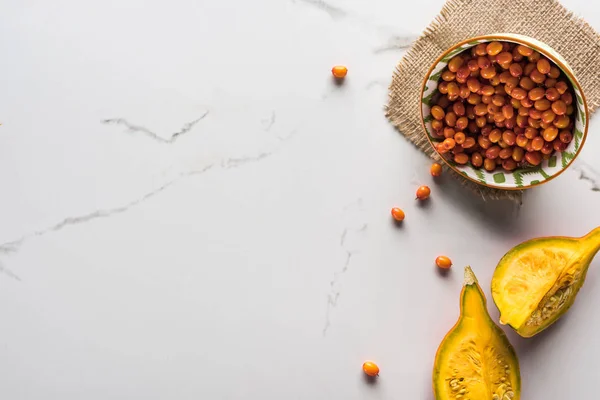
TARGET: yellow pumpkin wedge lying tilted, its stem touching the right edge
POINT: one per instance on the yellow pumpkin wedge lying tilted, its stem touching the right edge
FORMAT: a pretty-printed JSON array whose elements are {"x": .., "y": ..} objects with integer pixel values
[{"x": 536, "y": 282}]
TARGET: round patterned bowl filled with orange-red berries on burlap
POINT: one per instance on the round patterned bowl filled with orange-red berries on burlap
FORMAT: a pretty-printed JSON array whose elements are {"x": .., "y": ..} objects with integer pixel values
[{"x": 505, "y": 112}]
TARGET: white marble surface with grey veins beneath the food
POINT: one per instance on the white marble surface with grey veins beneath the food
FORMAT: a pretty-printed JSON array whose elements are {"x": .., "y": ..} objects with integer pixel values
[{"x": 191, "y": 209}]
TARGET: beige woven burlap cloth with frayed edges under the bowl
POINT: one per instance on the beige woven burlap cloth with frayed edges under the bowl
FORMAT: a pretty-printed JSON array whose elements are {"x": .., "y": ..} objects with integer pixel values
[{"x": 545, "y": 20}]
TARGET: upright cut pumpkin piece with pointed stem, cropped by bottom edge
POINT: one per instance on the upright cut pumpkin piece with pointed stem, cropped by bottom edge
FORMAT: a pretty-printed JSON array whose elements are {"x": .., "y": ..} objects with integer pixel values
[{"x": 475, "y": 360}]
